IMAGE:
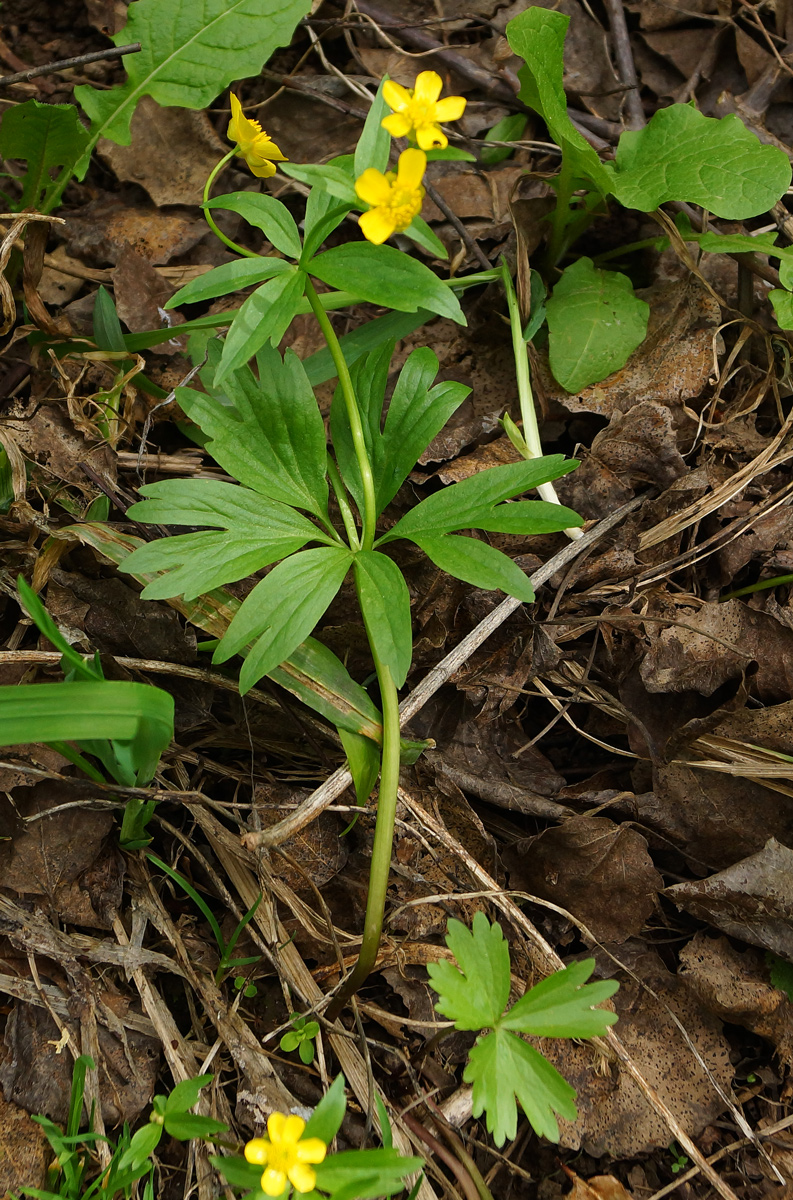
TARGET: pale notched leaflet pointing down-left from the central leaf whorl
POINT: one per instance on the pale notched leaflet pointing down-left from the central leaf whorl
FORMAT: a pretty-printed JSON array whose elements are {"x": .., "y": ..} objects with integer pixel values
[{"x": 283, "y": 610}]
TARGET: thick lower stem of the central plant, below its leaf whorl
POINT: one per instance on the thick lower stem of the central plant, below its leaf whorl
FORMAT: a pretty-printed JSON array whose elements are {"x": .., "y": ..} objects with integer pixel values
[{"x": 382, "y": 849}]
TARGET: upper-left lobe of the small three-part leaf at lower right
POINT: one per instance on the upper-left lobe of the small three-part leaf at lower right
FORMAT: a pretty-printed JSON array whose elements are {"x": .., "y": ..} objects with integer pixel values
[{"x": 473, "y": 995}]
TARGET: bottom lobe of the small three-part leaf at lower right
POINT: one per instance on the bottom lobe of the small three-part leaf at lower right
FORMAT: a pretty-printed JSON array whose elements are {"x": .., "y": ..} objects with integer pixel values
[{"x": 502, "y": 1067}]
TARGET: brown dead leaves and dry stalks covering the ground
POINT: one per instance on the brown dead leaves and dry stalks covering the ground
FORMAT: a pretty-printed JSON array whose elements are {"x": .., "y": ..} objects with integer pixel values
[{"x": 617, "y": 757}]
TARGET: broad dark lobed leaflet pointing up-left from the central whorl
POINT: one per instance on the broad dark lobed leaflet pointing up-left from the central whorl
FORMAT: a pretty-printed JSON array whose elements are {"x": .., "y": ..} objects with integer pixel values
[{"x": 274, "y": 439}]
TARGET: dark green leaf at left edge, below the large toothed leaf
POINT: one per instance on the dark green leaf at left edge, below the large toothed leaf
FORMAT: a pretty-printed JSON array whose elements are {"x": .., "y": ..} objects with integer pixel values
[{"x": 46, "y": 137}]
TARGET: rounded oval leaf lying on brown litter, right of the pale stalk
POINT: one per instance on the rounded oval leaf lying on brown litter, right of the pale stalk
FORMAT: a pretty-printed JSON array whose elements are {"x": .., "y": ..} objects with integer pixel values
[{"x": 596, "y": 322}]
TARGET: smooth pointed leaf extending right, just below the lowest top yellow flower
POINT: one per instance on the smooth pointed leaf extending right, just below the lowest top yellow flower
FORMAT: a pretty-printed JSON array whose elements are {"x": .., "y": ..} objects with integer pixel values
[{"x": 386, "y": 277}]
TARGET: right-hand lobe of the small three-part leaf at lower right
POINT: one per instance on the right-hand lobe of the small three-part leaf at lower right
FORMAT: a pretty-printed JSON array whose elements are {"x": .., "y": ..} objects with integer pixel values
[{"x": 562, "y": 1006}]
